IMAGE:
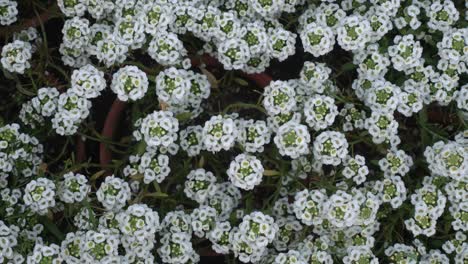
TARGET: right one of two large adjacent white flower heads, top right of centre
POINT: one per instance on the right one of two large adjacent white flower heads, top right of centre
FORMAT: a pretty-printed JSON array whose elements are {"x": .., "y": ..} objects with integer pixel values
[{"x": 354, "y": 32}]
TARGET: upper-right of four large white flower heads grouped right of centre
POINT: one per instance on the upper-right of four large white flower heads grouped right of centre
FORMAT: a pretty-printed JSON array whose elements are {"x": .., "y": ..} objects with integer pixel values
[{"x": 320, "y": 112}]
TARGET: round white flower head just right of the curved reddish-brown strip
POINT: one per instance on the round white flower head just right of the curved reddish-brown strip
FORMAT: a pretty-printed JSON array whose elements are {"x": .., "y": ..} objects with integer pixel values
[{"x": 159, "y": 129}]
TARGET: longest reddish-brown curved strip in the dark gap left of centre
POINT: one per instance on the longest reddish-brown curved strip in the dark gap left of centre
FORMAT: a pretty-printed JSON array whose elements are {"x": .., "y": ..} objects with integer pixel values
[{"x": 111, "y": 123}]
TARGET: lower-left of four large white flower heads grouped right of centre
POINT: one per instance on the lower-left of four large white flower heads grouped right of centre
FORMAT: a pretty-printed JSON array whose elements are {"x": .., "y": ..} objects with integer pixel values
[{"x": 292, "y": 139}]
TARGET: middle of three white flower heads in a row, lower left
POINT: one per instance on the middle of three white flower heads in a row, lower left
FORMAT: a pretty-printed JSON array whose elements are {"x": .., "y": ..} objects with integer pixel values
[{"x": 73, "y": 188}]
